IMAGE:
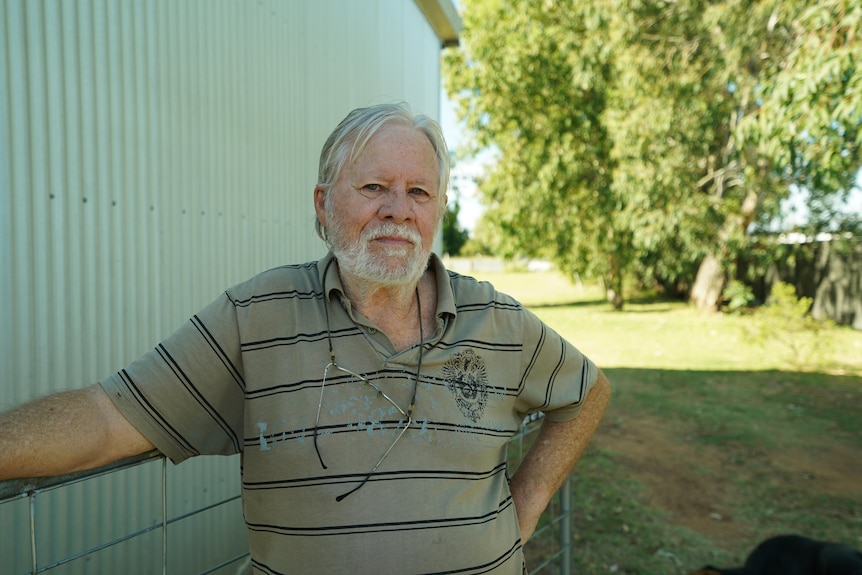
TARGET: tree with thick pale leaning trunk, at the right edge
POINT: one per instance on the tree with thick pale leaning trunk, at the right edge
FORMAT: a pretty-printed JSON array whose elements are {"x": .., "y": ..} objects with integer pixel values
[{"x": 795, "y": 67}]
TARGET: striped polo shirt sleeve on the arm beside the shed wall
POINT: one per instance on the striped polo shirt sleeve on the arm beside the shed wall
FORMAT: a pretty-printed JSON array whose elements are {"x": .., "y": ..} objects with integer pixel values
[{"x": 186, "y": 395}]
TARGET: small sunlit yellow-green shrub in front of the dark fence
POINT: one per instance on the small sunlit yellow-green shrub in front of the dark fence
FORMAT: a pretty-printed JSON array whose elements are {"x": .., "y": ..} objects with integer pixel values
[{"x": 785, "y": 321}]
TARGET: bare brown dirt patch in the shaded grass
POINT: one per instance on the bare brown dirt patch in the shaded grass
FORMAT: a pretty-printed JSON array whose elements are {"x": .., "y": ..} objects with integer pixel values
[{"x": 694, "y": 483}]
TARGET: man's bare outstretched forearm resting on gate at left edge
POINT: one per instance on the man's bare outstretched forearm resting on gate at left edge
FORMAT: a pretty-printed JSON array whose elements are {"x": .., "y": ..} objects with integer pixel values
[{"x": 65, "y": 432}]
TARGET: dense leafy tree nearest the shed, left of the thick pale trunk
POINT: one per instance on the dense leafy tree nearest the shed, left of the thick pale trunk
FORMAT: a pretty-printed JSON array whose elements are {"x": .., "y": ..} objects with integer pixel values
[{"x": 600, "y": 142}]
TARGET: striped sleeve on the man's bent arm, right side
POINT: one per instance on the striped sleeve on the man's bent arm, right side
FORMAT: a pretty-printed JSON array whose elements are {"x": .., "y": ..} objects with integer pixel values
[{"x": 556, "y": 376}]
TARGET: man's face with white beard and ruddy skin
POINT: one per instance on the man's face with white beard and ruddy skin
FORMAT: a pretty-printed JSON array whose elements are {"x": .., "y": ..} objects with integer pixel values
[{"x": 384, "y": 209}]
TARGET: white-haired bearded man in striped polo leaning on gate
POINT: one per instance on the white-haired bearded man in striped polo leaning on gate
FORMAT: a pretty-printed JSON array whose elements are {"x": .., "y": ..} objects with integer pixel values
[{"x": 371, "y": 394}]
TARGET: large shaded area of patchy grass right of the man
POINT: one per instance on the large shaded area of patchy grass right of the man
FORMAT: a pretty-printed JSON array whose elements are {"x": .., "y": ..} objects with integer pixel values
[{"x": 696, "y": 467}]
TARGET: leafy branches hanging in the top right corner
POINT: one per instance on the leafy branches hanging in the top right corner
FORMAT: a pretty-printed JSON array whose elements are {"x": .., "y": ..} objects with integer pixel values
[{"x": 808, "y": 114}]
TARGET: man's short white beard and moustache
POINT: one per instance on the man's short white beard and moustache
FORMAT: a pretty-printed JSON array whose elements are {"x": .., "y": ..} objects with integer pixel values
[{"x": 396, "y": 266}]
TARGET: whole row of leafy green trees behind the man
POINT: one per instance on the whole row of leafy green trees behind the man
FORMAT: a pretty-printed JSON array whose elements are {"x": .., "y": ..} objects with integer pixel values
[{"x": 646, "y": 140}]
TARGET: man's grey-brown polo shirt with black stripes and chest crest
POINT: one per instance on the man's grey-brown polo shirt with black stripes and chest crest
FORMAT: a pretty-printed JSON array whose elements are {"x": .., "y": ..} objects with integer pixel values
[{"x": 246, "y": 375}]
